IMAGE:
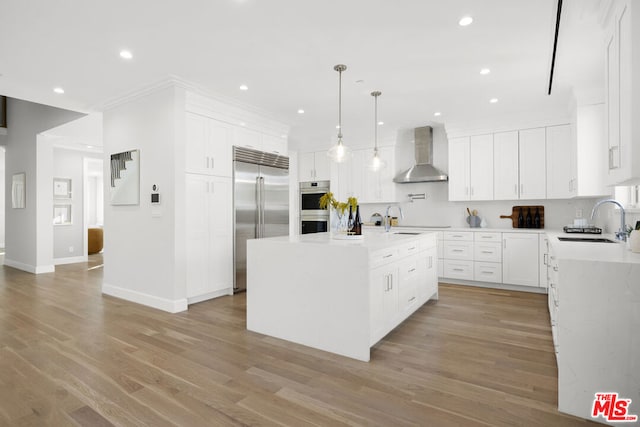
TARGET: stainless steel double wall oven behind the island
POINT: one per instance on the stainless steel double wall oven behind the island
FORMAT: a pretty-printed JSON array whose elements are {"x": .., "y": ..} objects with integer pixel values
[{"x": 312, "y": 218}]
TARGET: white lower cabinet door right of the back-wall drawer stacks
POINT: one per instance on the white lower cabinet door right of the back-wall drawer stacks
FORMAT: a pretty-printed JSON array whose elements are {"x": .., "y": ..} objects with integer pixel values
[{"x": 520, "y": 259}]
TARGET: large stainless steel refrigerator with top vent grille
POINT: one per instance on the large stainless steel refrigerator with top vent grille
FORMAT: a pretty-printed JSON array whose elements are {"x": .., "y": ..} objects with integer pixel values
[{"x": 260, "y": 201}]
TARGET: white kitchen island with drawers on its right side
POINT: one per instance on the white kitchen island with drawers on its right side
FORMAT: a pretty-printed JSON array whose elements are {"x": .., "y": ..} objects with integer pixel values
[{"x": 340, "y": 296}]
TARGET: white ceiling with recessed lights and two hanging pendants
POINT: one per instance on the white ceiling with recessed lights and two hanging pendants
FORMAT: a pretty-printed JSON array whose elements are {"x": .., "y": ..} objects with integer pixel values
[{"x": 284, "y": 50}]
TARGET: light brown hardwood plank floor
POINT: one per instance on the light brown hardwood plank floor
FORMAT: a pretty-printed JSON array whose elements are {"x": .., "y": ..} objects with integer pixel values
[{"x": 70, "y": 356}]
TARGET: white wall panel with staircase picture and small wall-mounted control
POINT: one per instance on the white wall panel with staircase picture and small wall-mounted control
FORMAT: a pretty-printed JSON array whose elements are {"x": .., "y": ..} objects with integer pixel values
[{"x": 143, "y": 247}]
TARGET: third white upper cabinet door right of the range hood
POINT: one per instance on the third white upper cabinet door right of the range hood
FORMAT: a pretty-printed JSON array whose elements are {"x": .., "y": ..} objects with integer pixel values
[{"x": 505, "y": 163}]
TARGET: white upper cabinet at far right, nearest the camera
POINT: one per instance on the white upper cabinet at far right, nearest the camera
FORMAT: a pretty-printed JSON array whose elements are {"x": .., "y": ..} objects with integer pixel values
[{"x": 622, "y": 53}]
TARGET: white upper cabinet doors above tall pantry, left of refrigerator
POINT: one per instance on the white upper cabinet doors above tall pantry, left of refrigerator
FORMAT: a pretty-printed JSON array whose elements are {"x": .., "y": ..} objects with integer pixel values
[{"x": 208, "y": 146}]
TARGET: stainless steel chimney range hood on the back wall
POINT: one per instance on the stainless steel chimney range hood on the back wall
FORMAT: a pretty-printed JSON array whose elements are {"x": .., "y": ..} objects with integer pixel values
[{"x": 423, "y": 171}]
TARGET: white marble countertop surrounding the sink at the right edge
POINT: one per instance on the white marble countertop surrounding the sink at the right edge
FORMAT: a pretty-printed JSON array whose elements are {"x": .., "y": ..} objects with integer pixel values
[{"x": 589, "y": 251}]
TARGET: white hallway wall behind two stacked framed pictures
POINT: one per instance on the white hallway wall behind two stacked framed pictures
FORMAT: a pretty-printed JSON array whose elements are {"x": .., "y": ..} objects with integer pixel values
[{"x": 68, "y": 240}]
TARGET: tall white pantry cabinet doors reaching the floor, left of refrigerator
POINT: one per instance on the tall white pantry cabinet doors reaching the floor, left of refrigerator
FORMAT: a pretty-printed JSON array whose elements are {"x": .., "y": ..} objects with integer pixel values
[{"x": 209, "y": 230}]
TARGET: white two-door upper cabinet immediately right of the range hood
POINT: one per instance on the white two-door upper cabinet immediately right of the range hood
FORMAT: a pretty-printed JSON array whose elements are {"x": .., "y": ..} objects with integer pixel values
[{"x": 470, "y": 166}]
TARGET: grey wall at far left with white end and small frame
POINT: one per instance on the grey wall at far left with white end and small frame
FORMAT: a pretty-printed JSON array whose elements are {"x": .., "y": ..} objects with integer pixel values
[{"x": 28, "y": 233}]
